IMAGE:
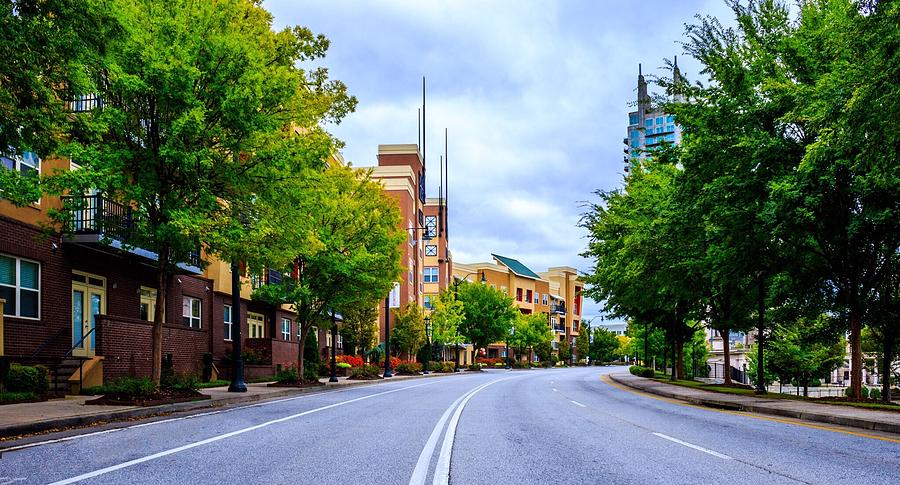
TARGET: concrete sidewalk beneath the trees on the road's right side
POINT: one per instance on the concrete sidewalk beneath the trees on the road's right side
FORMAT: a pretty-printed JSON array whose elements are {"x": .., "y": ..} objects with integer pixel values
[{"x": 872, "y": 419}]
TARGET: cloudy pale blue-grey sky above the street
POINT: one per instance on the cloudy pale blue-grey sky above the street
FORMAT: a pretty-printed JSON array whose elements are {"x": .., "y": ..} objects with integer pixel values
[{"x": 535, "y": 95}]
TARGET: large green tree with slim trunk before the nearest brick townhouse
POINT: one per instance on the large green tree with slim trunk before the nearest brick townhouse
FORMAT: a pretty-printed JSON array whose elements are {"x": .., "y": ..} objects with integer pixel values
[{"x": 197, "y": 100}]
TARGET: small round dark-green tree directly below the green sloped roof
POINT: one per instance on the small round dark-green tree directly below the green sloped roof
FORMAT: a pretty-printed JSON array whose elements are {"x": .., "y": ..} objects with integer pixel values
[{"x": 488, "y": 314}]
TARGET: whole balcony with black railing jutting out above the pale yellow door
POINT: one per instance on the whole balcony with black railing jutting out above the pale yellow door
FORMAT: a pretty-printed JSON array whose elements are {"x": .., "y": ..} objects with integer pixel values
[{"x": 98, "y": 221}]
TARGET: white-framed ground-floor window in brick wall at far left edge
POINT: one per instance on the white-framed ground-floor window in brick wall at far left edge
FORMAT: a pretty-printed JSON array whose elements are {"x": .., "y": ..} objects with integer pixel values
[{"x": 20, "y": 287}]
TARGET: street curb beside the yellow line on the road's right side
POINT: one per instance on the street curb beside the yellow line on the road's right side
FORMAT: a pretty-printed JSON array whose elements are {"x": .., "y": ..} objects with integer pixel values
[{"x": 763, "y": 409}]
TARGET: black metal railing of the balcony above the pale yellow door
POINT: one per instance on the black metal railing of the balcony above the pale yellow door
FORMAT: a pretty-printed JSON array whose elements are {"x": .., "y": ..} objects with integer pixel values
[{"x": 108, "y": 220}]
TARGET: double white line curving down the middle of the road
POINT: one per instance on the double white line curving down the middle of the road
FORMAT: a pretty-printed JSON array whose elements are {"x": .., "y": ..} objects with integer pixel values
[{"x": 442, "y": 469}]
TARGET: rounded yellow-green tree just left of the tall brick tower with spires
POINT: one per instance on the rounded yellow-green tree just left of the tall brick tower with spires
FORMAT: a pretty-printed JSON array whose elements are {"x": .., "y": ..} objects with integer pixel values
[{"x": 346, "y": 235}]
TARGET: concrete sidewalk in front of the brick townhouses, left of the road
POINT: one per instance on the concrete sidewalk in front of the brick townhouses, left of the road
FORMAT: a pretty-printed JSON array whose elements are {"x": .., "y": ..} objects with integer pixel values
[{"x": 58, "y": 414}]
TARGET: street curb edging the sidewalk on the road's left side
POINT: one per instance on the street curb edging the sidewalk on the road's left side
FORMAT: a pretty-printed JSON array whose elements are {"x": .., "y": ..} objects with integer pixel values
[{"x": 150, "y": 411}]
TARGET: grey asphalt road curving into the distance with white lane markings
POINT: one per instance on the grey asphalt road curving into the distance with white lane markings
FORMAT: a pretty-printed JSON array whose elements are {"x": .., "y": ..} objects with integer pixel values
[{"x": 539, "y": 426}]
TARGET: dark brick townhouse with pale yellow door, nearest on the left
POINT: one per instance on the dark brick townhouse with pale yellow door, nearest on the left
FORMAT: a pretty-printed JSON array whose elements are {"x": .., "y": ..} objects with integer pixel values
[{"x": 81, "y": 302}]
